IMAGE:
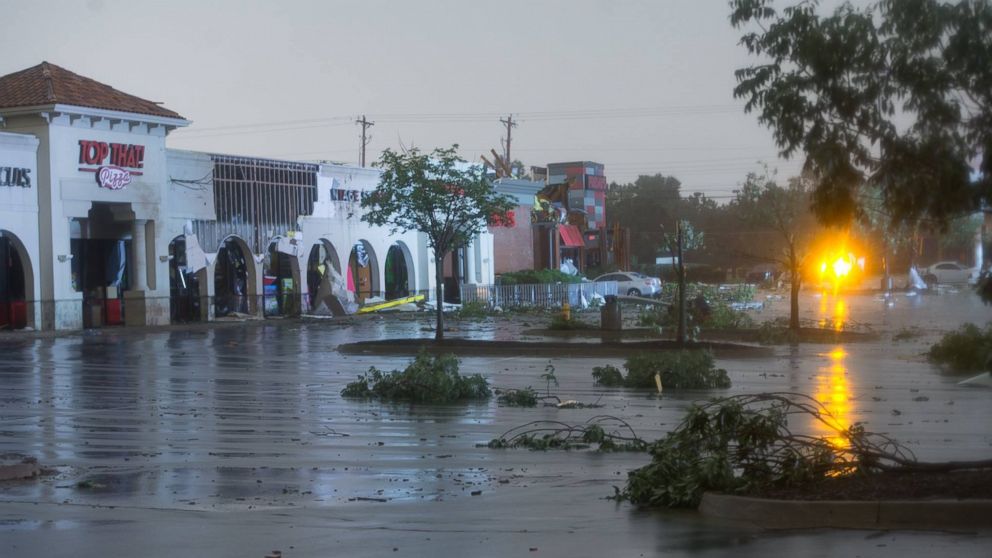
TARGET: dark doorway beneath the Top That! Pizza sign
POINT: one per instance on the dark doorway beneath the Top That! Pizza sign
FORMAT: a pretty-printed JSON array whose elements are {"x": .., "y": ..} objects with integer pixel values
[{"x": 100, "y": 245}]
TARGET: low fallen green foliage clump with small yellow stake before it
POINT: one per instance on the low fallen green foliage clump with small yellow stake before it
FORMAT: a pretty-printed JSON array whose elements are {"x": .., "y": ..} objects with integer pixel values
[{"x": 688, "y": 369}]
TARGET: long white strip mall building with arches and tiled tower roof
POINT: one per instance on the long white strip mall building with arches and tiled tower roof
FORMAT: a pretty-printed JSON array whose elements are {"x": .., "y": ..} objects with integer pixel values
[{"x": 102, "y": 224}]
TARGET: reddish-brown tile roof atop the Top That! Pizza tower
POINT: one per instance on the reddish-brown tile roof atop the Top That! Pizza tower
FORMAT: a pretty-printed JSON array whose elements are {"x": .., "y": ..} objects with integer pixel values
[{"x": 48, "y": 84}]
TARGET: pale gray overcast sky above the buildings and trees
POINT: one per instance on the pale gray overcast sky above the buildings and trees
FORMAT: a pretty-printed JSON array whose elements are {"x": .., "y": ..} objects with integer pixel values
[{"x": 640, "y": 86}]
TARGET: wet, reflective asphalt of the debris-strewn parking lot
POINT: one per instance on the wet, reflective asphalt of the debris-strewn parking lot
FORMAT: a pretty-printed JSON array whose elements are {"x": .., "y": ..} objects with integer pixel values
[{"x": 234, "y": 441}]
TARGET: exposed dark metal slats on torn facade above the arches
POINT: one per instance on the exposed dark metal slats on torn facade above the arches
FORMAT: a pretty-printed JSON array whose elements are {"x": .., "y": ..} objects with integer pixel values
[{"x": 257, "y": 199}]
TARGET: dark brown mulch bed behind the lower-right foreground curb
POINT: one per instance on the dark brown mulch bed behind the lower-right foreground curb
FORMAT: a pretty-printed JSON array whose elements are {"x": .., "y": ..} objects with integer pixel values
[{"x": 892, "y": 486}]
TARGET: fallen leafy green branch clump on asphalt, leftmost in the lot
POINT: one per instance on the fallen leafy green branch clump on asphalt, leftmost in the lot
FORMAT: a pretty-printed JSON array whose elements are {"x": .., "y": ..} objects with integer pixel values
[{"x": 428, "y": 379}]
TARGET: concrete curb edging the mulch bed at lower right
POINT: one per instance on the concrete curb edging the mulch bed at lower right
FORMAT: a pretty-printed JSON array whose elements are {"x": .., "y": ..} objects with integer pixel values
[{"x": 876, "y": 514}]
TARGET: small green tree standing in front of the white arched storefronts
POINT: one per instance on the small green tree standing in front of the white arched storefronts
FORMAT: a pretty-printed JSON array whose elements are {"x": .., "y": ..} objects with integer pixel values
[{"x": 440, "y": 195}]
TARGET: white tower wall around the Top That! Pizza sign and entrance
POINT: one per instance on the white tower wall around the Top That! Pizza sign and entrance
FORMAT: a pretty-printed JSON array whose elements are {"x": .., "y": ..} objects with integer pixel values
[{"x": 65, "y": 192}]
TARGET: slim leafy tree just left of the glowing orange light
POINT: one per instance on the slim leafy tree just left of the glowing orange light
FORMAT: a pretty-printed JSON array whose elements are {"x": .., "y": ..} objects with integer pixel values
[{"x": 764, "y": 206}]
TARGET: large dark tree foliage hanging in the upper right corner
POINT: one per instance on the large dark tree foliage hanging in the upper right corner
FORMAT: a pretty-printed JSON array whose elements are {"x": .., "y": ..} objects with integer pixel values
[{"x": 895, "y": 97}]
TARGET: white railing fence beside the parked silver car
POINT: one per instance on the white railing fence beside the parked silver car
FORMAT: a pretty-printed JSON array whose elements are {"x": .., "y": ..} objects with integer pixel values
[{"x": 542, "y": 295}]
